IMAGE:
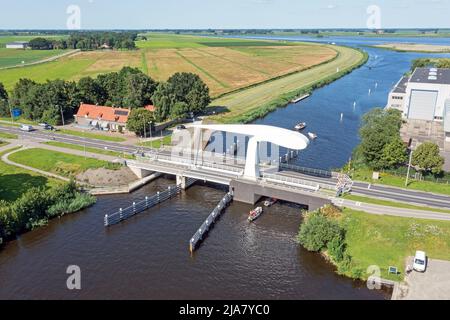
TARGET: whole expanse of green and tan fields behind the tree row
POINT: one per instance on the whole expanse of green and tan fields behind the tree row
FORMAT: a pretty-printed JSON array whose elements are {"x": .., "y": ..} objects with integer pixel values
[{"x": 224, "y": 64}]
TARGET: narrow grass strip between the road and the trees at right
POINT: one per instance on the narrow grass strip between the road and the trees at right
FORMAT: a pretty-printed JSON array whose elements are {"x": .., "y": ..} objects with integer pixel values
[{"x": 396, "y": 181}]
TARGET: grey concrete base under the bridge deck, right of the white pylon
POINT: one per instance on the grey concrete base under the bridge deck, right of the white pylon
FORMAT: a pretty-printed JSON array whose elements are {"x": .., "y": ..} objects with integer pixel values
[{"x": 251, "y": 193}]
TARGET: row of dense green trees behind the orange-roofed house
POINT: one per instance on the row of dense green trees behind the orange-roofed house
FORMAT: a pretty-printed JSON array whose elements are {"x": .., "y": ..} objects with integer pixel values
[{"x": 181, "y": 95}]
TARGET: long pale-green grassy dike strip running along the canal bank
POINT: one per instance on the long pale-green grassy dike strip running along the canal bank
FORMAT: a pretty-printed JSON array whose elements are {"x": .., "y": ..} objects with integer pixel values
[{"x": 247, "y": 105}]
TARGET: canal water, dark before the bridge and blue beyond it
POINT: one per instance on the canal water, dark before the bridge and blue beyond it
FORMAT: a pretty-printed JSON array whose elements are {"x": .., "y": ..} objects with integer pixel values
[{"x": 147, "y": 256}]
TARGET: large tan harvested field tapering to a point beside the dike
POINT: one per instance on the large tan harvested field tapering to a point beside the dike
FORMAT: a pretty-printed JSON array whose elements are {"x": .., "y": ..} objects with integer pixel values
[{"x": 225, "y": 69}]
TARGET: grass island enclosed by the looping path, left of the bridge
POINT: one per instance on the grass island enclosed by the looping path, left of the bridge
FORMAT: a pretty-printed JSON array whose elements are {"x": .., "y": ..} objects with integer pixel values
[{"x": 63, "y": 164}]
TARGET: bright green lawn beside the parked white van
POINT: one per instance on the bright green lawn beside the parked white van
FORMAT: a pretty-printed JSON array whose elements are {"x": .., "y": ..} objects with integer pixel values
[{"x": 387, "y": 241}]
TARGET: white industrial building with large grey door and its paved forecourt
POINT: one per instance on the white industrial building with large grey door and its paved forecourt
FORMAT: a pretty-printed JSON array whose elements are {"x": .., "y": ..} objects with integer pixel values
[{"x": 424, "y": 100}]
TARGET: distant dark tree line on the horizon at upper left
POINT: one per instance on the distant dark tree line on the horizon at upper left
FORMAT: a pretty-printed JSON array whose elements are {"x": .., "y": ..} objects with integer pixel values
[{"x": 88, "y": 41}]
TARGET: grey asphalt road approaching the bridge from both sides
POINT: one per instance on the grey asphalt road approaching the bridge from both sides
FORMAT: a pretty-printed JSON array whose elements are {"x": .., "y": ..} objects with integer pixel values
[{"x": 359, "y": 188}]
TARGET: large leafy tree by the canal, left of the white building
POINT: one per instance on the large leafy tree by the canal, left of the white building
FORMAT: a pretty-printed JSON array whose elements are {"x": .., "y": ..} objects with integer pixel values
[{"x": 379, "y": 128}]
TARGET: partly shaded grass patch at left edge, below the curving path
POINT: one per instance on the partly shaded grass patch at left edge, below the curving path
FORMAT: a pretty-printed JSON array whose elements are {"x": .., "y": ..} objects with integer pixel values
[{"x": 15, "y": 181}]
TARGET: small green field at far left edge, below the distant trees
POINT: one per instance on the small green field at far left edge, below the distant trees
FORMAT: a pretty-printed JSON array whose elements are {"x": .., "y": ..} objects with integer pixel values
[{"x": 12, "y": 57}]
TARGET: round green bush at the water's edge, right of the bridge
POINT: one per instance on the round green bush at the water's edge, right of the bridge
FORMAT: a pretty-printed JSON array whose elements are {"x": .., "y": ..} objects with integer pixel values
[{"x": 317, "y": 232}]
